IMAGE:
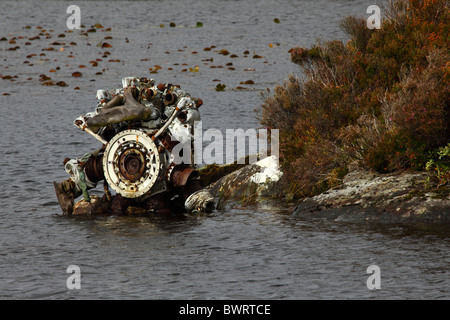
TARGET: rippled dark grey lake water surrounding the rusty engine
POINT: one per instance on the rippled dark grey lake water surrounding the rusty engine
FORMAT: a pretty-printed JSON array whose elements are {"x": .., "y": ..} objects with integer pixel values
[{"x": 259, "y": 252}]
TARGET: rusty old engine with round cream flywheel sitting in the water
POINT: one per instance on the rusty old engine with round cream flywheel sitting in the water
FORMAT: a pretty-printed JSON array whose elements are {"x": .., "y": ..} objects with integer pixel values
[{"x": 138, "y": 126}]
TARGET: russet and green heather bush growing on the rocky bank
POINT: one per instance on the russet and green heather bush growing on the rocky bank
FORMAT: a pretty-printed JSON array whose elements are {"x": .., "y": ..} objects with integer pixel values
[{"x": 379, "y": 101}]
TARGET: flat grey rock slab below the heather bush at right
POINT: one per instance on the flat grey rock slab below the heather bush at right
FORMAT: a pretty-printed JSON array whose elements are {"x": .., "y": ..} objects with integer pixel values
[{"x": 389, "y": 198}]
